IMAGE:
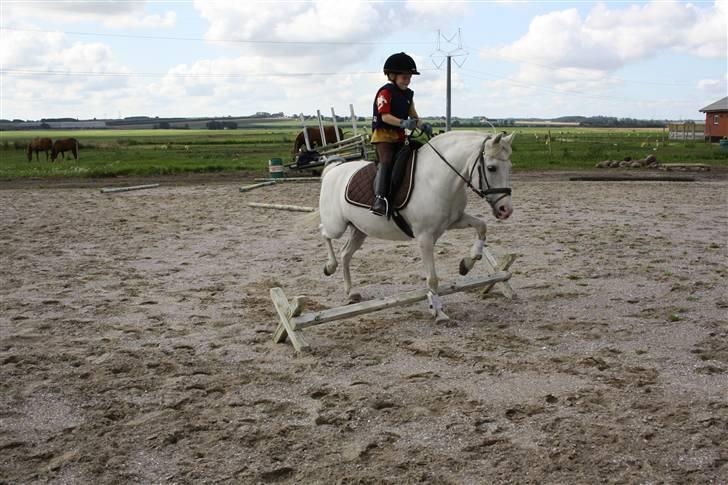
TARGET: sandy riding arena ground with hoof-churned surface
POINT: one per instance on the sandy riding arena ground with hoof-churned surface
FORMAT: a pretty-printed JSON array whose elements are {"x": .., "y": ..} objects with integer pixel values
[{"x": 135, "y": 342}]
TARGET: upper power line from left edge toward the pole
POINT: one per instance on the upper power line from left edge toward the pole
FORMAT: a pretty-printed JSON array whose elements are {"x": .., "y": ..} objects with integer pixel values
[{"x": 200, "y": 39}]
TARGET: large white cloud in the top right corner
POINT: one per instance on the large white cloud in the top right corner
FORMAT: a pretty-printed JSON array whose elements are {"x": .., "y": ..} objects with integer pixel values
[{"x": 609, "y": 39}]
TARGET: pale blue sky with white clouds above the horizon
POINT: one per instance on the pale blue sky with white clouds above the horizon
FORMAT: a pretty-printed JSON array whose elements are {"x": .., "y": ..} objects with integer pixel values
[{"x": 86, "y": 59}]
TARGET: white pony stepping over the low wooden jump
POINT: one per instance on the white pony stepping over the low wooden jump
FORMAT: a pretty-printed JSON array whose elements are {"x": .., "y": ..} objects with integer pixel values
[{"x": 446, "y": 166}]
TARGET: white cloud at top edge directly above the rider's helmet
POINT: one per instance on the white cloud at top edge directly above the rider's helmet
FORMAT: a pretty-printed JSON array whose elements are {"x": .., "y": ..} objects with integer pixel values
[{"x": 348, "y": 26}]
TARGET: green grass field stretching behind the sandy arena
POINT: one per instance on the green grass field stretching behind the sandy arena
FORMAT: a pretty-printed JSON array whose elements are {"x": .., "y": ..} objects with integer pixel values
[{"x": 108, "y": 153}]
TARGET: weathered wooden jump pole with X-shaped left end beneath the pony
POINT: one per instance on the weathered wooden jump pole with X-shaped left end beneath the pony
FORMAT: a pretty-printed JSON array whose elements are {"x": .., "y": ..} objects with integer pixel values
[{"x": 292, "y": 321}]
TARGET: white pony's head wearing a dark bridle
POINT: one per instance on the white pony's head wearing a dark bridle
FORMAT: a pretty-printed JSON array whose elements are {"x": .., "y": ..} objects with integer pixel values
[{"x": 495, "y": 179}]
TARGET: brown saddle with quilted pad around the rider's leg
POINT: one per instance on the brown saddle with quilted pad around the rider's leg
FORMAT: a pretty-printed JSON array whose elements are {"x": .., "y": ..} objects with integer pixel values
[{"x": 360, "y": 189}]
